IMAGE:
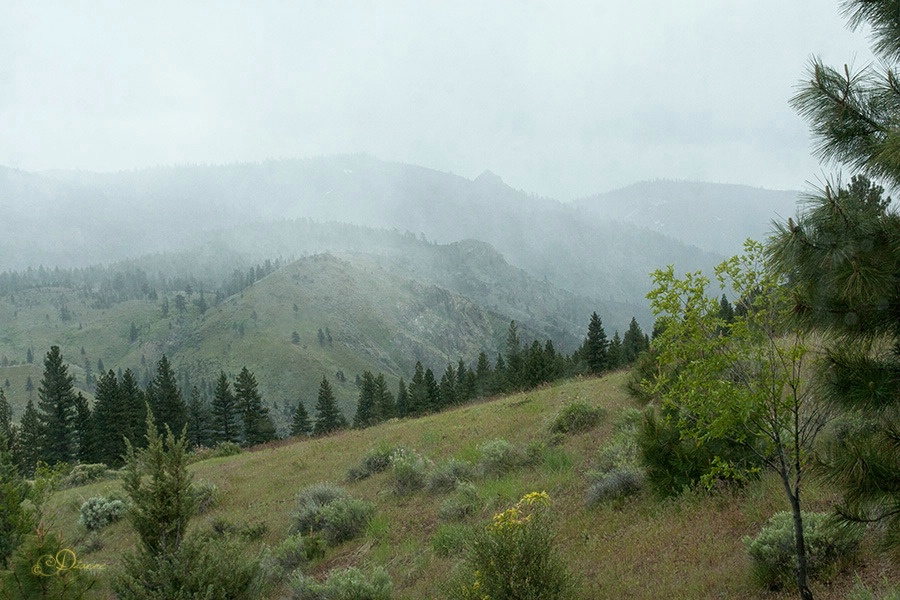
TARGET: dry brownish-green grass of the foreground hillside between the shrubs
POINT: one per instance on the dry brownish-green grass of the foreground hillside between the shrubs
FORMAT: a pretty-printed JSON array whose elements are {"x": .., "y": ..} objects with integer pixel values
[{"x": 689, "y": 547}]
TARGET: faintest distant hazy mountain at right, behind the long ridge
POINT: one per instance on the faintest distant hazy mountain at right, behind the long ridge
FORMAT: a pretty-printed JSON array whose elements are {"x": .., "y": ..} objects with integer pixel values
[{"x": 715, "y": 217}]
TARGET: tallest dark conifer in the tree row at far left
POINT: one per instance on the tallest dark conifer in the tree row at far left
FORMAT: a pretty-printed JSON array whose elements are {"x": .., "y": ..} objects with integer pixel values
[{"x": 56, "y": 410}]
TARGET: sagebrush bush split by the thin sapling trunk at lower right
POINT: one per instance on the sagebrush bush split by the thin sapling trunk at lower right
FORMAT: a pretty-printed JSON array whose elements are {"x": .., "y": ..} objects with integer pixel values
[{"x": 773, "y": 550}]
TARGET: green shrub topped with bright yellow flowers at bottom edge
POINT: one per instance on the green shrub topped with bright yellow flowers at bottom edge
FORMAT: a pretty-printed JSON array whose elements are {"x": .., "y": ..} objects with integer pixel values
[{"x": 515, "y": 557}]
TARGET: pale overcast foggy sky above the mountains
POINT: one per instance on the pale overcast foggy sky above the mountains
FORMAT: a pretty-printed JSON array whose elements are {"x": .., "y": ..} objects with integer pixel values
[{"x": 560, "y": 98}]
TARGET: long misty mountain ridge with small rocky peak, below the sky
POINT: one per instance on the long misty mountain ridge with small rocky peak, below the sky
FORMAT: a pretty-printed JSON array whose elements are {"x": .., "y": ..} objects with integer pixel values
[{"x": 129, "y": 214}]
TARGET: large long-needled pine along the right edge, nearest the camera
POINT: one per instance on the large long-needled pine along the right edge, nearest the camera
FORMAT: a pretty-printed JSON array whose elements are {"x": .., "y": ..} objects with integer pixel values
[{"x": 842, "y": 258}]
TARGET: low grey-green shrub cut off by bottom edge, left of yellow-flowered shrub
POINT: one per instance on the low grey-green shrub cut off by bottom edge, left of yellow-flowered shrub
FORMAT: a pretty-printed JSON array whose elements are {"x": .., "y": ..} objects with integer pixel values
[{"x": 344, "y": 584}]
